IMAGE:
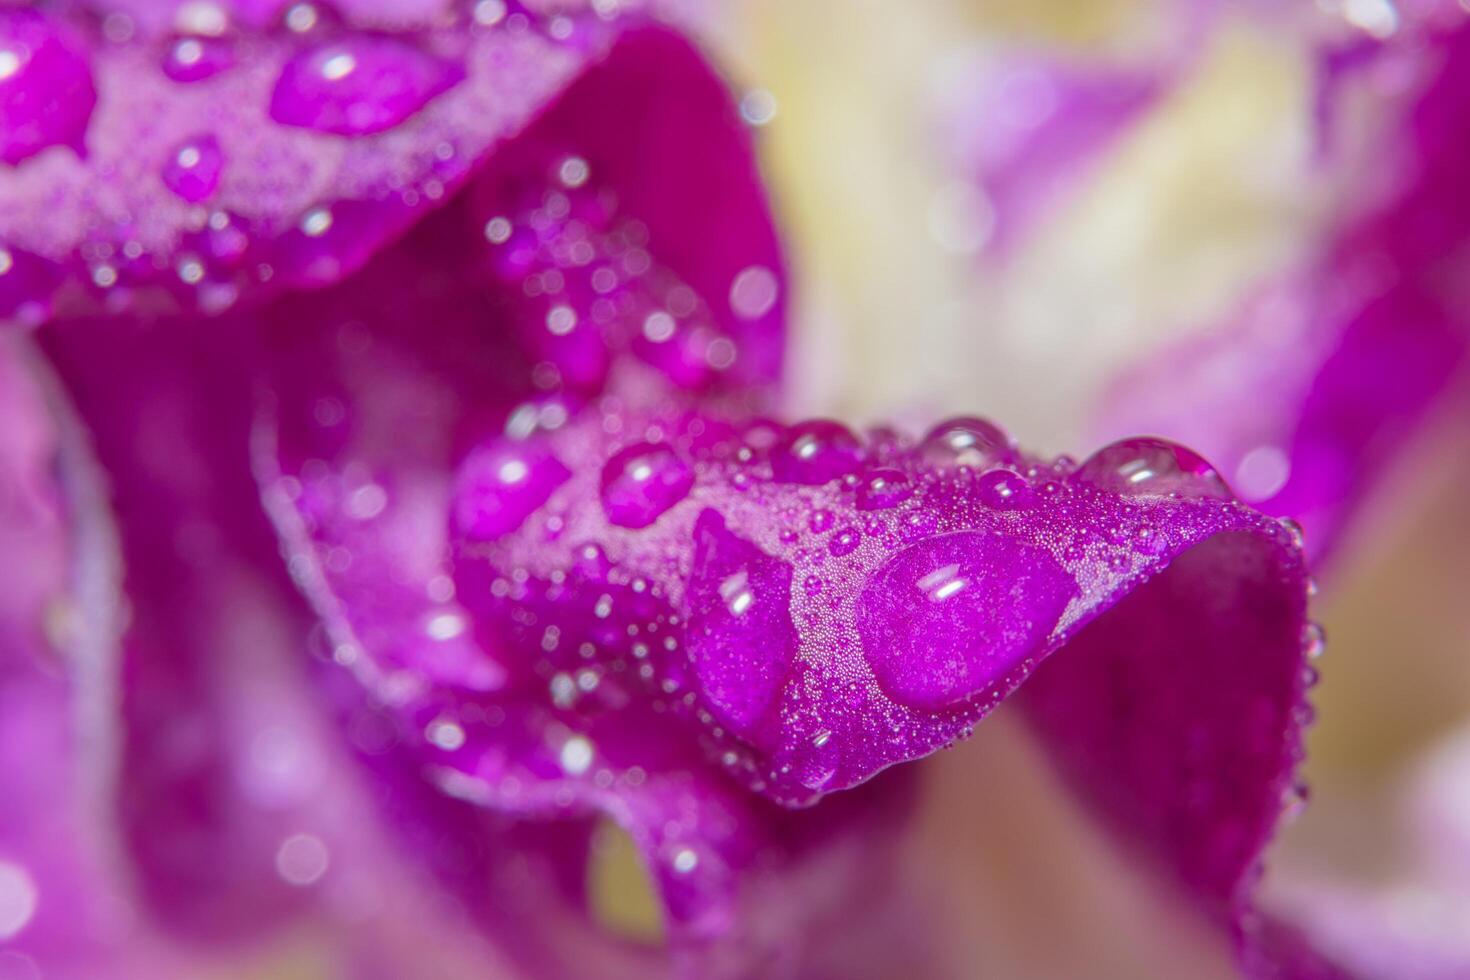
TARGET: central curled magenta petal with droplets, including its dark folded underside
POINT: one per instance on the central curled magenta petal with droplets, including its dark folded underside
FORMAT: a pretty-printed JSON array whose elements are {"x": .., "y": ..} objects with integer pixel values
[{"x": 799, "y": 634}]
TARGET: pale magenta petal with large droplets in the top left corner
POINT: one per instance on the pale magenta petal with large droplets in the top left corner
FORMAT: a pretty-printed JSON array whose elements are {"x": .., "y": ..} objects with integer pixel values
[{"x": 311, "y": 121}]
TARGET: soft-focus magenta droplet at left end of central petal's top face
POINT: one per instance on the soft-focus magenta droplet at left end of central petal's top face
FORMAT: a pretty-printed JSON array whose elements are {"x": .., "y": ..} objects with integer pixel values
[{"x": 502, "y": 484}]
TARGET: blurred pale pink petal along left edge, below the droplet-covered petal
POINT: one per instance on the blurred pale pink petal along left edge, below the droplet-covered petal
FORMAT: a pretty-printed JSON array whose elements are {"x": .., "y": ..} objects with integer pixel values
[{"x": 60, "y": 891}]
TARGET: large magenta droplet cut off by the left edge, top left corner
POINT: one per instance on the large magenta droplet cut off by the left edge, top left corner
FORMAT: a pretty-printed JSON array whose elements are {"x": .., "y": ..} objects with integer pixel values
[{"x": 46, "y": 87}]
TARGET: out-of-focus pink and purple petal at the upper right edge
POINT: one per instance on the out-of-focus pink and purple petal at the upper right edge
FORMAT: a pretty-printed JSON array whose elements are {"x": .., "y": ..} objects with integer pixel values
[{"x": 1311, "y": 390}]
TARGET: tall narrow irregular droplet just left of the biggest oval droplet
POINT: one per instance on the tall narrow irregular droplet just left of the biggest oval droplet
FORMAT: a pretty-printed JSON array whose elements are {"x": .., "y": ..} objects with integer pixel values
[{"x": 742, "y": 638}]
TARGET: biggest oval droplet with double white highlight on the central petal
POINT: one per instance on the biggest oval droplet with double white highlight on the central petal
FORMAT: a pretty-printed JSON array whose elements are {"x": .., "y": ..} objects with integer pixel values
[{"x": 952, "y": 615}]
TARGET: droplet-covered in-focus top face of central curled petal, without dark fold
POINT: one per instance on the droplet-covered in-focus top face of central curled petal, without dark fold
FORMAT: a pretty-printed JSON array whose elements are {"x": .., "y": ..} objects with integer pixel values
[{"x": 817, "y": 599}]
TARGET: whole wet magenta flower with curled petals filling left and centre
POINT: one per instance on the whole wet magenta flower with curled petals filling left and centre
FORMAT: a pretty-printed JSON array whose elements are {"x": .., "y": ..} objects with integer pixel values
[{"x": 398, "y": 459}]
